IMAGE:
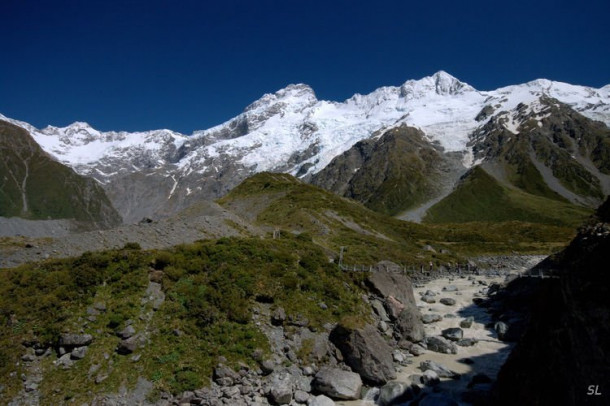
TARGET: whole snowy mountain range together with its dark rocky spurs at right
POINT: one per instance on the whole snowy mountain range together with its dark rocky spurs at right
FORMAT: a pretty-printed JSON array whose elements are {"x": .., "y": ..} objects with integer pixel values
[{"x": 158, "y": 173}]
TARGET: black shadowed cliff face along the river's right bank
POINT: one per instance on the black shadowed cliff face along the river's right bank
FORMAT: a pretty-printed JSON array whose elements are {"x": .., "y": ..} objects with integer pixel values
[{"x": 564, "y": 356}]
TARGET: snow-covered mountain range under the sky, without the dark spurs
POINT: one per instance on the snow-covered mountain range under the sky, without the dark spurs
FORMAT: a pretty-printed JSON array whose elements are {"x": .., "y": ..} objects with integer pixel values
[{"x": 292, "y": 131}]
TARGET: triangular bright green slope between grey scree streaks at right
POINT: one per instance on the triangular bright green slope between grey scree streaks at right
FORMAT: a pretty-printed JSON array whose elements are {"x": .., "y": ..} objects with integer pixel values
[{"x": 480, "y": 197}]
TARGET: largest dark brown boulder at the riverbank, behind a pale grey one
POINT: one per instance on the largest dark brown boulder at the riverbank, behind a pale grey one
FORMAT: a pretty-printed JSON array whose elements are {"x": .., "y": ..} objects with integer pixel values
[{"x": 366, "y": 352}]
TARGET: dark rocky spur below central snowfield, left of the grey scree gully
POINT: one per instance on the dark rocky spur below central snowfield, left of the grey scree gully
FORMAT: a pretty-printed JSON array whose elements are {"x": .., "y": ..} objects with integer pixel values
[{"x": 397, "y": 170}]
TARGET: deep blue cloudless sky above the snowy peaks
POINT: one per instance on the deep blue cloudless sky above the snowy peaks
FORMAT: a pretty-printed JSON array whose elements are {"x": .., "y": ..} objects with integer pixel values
[{"x": 188, "y": 65}]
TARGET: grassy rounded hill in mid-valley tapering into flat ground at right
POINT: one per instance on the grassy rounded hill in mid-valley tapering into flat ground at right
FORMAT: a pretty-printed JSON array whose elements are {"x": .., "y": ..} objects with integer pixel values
[{"x": 281, "y": 201}]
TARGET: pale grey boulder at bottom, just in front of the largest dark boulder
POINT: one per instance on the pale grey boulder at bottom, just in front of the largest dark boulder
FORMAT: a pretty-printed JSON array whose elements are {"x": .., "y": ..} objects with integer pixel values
[{"x": 338, "y": 384}]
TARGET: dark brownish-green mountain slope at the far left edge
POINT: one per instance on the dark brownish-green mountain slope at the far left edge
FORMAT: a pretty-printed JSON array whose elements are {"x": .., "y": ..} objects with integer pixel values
[{"x": 34, "y": 186}]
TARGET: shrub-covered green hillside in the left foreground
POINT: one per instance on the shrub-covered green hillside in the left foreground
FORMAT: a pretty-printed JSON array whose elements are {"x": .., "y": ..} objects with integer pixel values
[{"x": 210, "y": 288}]
